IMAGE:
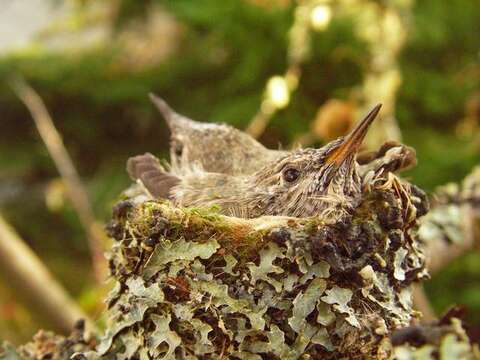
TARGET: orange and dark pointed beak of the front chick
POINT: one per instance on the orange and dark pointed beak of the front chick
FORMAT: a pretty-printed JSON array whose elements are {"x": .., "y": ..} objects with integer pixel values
[{"x": 352, "y": 141}]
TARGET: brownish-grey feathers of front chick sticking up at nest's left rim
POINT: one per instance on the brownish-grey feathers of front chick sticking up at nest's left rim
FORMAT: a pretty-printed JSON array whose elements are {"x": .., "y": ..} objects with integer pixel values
[{"x": 147, "y": 169}]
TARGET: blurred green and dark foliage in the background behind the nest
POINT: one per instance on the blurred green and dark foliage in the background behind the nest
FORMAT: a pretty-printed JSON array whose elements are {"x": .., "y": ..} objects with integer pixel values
[{"x": 227, "y": 51}]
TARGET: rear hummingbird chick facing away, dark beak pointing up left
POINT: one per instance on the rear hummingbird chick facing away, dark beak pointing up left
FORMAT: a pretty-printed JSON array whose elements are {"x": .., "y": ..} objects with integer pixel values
[{"x": 206, "y": 144}]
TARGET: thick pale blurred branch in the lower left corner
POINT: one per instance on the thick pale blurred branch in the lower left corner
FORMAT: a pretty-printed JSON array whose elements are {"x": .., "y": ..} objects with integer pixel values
[{"x": 27, "y": 274}]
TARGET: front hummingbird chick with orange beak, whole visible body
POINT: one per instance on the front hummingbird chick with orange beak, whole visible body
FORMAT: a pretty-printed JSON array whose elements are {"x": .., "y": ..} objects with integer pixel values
[{"x": 302, "y": 183}]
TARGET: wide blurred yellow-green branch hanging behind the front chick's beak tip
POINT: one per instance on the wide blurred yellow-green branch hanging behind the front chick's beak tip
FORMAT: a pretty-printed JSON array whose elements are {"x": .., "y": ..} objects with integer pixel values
[{"x": 384, "y": 29}]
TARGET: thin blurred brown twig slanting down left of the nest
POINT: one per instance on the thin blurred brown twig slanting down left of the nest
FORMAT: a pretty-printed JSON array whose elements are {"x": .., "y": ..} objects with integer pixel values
[{"x": 75, "y": 189}]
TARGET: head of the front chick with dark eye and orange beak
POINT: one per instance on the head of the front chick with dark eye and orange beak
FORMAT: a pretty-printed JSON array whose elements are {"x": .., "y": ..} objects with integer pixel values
[{"x": 308, "y": 181}]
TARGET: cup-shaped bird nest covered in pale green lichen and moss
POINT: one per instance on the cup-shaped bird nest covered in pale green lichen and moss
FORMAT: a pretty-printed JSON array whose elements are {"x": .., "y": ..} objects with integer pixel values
[{"x": 193, "y": 284}]
